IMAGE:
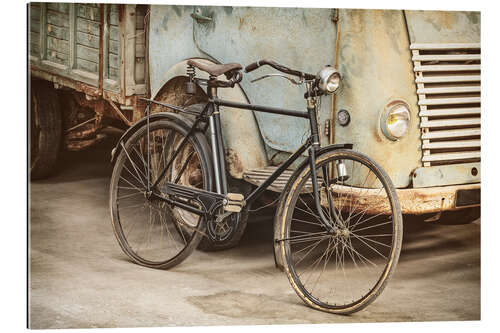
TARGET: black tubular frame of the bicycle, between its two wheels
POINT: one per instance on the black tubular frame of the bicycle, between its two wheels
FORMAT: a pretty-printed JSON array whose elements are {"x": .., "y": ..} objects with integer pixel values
[{"x": 214, "y": 125}]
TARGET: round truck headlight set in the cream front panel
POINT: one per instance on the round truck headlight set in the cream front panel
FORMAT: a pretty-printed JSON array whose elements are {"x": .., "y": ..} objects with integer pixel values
[{"x": 396, "y": 120}]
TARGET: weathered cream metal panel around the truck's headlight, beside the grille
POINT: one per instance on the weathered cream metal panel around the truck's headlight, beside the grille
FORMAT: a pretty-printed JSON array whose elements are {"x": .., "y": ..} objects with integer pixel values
[{"x": 375, "y": 62}]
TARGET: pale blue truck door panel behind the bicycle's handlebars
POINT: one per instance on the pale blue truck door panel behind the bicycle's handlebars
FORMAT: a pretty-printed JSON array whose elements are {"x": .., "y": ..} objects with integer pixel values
[{"x": 300, "y": 38}]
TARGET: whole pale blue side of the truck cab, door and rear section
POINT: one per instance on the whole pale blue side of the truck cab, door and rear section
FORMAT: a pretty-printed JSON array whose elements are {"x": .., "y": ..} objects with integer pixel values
[{"x": 299, "y": 38}]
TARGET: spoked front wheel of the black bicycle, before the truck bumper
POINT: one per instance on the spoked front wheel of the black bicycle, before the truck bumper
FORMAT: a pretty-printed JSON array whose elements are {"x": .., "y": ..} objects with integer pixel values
[{"x": 342, "y": 271}]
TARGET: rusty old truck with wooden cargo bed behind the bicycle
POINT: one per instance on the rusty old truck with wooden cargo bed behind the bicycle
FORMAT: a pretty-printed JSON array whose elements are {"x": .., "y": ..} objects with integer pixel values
[{"x": 411, "y": 99}]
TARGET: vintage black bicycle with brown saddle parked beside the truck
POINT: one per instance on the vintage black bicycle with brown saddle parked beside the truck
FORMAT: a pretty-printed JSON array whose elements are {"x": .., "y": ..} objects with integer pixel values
[{"x": 169, "y": 189}]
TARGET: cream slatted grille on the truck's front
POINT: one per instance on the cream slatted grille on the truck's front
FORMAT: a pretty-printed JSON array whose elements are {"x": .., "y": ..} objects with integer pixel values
[{"x": 448, "y": 78}]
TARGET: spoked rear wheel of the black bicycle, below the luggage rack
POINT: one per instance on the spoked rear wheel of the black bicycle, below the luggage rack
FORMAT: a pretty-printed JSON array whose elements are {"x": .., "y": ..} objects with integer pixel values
[{"x": 150, "y": 231}]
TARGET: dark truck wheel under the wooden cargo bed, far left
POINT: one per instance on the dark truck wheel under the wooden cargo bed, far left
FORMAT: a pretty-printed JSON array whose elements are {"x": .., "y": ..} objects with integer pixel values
[{"x": 45, "y": 126}]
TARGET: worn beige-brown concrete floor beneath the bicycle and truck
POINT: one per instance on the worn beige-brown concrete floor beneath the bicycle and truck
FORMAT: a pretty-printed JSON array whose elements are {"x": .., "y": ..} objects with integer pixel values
[{"x": 80, "y": 278}]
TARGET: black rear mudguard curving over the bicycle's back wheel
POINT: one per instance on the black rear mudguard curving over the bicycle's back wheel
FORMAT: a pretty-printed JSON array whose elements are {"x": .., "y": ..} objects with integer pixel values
[{"x": 177, "y": 118}]
